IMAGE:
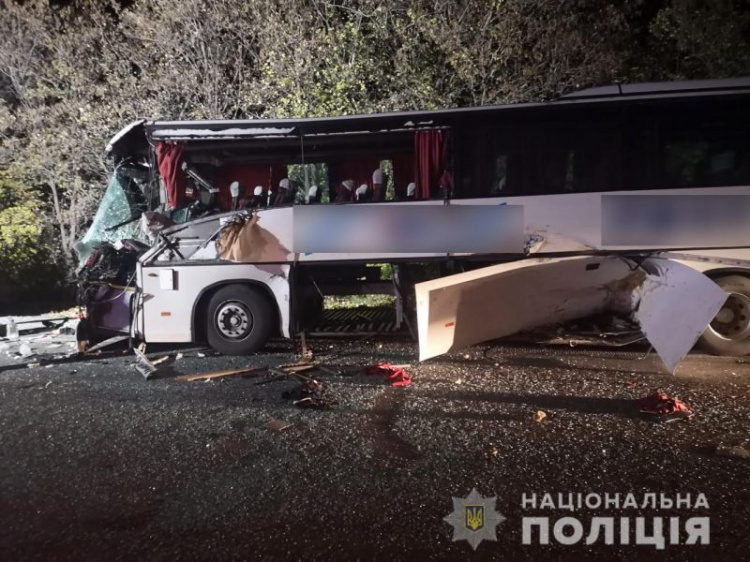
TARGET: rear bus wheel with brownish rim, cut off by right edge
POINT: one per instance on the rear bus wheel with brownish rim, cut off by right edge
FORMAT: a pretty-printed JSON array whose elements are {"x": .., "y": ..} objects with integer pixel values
[{"x": 729, "y": 332}]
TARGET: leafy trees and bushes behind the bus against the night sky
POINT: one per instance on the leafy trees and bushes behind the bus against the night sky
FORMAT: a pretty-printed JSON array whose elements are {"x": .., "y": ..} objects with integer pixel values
[{"x": 73, "y": 73}]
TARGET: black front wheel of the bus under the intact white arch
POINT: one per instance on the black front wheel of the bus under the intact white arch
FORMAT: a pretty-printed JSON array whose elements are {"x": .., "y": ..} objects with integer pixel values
[{"x": 240, "y": 320}]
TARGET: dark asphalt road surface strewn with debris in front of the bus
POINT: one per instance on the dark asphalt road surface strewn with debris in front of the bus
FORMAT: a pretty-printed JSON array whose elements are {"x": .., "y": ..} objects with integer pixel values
[{"x": 98, "y": 463}]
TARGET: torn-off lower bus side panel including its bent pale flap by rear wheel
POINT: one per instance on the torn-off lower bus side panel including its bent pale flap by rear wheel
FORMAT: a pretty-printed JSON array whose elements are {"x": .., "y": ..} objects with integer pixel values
[{"x": 672, "y": 302}]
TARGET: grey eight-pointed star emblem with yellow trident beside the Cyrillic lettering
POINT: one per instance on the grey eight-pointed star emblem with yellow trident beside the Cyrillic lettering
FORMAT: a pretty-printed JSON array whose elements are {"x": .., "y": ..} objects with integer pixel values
[{"x": 474, "y": 519}]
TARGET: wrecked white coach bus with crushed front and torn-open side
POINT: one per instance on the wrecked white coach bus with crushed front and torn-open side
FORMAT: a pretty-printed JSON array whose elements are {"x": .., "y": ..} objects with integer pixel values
[{"x": 231, "y": 232}]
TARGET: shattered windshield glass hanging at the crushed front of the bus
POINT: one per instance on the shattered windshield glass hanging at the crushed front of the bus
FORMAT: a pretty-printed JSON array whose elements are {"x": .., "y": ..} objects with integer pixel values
[{"x": 118, "y": 213}]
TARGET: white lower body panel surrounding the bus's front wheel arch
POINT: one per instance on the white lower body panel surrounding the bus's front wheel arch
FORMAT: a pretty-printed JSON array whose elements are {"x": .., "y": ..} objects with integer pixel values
[{"x": 171, "y": 295}]
